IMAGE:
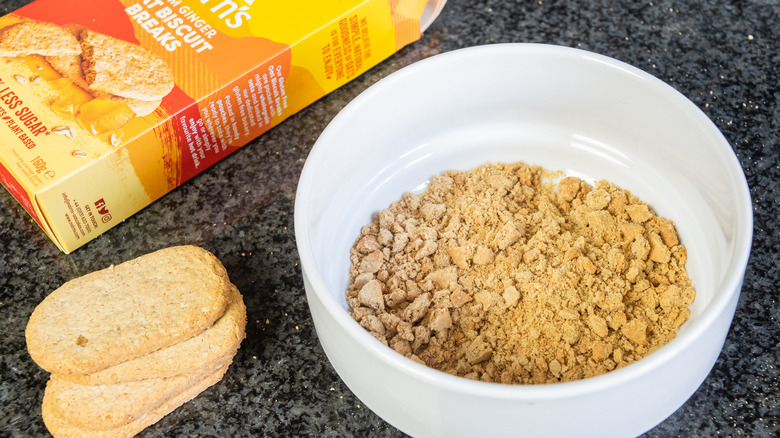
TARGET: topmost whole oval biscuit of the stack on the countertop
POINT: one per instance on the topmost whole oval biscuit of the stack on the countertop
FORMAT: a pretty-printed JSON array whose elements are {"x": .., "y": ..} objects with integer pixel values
[{"x": 122, "y": 312}]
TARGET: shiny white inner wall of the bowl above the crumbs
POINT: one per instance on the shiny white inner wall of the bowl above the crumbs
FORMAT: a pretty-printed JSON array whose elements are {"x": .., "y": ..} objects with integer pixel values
[{"x": 564, "y": 109}]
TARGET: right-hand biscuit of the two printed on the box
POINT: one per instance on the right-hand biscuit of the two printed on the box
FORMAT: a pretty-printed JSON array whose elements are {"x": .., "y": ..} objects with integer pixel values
[{"x": 117, "y": 67}]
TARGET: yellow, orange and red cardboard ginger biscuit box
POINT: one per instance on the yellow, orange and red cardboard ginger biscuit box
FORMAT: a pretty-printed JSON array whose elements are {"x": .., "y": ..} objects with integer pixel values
[{"x": 107, "y": 105}]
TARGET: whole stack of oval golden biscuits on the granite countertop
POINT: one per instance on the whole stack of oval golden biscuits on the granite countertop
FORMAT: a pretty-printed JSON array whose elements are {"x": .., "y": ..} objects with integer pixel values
[{"x": 129, "y": 344}]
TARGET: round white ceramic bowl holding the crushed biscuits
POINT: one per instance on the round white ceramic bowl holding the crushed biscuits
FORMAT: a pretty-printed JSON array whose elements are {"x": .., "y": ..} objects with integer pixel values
[{"x": 561, "y": 108}]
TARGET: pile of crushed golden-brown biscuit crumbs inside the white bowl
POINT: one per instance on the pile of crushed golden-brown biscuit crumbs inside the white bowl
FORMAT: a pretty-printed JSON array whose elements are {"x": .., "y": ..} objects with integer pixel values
[{"x": 494, "y": 275}]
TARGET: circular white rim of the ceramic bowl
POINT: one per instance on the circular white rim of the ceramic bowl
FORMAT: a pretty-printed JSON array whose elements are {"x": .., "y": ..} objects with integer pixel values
[{"x": 726, "y": 291}]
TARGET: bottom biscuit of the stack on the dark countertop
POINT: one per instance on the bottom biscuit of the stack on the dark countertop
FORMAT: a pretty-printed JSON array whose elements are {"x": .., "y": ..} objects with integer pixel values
[{"x": 62, "y": 427}]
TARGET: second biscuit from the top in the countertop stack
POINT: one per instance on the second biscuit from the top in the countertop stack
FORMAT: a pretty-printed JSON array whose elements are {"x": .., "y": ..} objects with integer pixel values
[{"x": 210, "y": 347}]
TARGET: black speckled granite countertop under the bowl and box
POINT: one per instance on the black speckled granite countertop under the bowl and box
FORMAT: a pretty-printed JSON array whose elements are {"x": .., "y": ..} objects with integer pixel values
[{"x": 723, "y": 55}]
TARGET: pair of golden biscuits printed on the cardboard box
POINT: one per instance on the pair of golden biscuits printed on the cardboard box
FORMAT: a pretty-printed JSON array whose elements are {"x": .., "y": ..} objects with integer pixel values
[{"x": 108, "y": 68}]
